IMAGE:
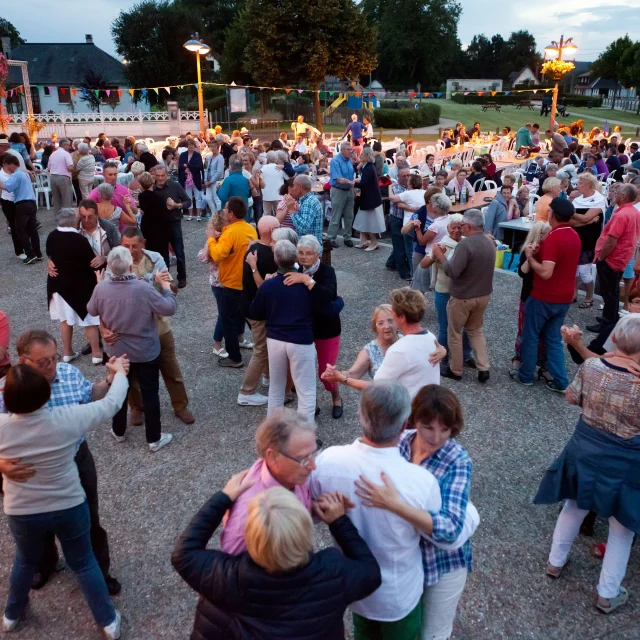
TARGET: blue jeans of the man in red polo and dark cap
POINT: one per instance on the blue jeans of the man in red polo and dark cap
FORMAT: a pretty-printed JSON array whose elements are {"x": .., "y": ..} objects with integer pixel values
[{"x": 542, "y": 321}]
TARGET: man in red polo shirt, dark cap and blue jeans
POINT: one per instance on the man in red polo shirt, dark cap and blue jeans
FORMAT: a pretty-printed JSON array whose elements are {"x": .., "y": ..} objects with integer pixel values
[{"x": 554, "y": 265}]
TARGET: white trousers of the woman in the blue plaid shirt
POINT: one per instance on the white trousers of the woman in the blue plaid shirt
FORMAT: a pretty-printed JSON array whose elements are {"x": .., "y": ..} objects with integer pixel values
[{"x": 439, "y": 605}]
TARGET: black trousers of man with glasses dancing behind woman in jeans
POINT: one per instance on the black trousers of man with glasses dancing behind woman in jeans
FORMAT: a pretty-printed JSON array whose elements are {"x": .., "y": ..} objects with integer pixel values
[{"x": 99, "y": 541}]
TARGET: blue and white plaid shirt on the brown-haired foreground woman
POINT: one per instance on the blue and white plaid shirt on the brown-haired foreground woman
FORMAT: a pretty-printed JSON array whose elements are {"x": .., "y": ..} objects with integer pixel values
[{"x": 451, "y": 467}]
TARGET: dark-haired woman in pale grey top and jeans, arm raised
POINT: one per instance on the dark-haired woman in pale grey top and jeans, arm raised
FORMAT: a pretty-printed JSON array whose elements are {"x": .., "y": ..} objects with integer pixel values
[{"x": 52, "y": 501}]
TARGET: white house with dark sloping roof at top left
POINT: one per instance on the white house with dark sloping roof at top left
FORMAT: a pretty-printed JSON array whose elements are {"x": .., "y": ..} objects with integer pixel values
[{"x": 59, "y": 74}]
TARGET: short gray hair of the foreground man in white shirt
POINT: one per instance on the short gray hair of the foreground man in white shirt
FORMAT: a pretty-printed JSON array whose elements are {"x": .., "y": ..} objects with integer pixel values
[{"x": 384, "y": 409}]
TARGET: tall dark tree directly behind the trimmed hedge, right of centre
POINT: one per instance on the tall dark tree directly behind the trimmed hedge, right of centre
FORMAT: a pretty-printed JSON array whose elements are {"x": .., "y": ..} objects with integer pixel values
[{"x": 418, "y": 42}]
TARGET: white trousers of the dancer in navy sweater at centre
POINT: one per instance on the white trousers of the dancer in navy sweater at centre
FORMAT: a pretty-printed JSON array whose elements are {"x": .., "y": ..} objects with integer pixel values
[{"x": 301, "y": 358}]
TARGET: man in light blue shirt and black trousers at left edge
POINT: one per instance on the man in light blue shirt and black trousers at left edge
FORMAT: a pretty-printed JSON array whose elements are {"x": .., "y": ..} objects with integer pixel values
[{"x": 19, "y": 183}]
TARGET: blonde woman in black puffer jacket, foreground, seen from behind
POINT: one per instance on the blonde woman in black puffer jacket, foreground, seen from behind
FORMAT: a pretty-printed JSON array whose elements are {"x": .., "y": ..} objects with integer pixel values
[{"x": 279, "y": 589}]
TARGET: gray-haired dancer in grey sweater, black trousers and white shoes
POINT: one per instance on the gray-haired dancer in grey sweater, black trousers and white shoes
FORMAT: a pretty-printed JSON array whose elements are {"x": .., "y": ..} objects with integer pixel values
[{"x": 127, "y": 307}]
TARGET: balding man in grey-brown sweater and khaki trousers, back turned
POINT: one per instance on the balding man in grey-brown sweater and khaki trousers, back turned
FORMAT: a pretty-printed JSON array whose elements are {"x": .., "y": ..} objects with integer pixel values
[{"x": 471, "y": 271}]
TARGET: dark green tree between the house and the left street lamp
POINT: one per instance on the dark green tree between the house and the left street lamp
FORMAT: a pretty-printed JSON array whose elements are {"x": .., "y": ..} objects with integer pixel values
[{"x": 150, "y": 36}]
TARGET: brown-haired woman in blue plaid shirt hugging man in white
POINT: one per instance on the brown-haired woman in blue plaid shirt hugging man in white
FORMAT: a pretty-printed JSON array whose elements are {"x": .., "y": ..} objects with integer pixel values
[{"x": 437, "y": 415}]
